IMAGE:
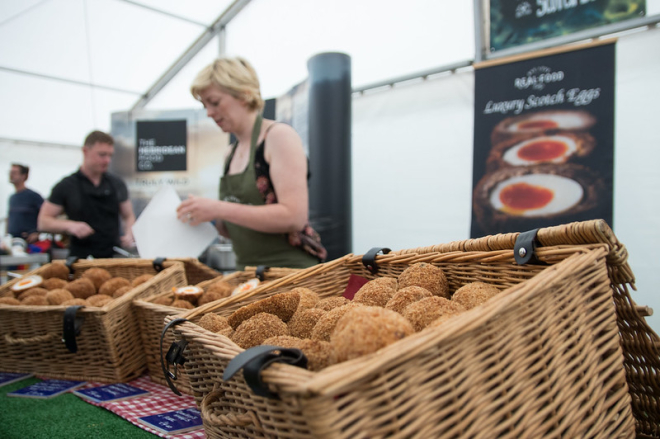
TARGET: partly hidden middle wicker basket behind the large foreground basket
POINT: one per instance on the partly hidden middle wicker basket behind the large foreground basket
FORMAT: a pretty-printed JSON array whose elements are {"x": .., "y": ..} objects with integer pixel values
[{"x": 152, "y": 316}]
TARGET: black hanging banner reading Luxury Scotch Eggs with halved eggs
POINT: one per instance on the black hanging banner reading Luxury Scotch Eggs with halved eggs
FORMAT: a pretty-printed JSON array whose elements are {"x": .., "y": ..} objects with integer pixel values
[{"x": 544, "y": 141}]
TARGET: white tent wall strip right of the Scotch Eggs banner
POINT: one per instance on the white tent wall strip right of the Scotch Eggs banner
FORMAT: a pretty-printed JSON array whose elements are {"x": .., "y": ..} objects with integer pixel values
[{"x": 636, "y": 159}]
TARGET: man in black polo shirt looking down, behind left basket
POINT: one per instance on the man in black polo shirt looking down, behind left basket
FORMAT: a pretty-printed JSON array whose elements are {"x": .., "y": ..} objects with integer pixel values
[{"x": 93, "y": 200}]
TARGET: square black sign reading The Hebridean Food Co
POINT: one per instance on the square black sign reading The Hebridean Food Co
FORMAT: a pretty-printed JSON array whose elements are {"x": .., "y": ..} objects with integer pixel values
[{"x": 161, "y": 146}]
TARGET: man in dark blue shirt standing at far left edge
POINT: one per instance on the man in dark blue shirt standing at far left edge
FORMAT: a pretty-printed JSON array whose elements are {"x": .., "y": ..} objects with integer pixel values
[{"x": 24, "y": 206}]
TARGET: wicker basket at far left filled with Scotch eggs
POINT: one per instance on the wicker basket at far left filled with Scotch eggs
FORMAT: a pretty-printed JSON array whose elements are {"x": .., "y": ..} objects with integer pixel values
[{"x": 108, "y": 345}]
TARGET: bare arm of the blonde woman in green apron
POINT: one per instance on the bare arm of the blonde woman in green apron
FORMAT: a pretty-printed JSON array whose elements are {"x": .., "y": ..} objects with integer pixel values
[{"x": 288, "y": 172}]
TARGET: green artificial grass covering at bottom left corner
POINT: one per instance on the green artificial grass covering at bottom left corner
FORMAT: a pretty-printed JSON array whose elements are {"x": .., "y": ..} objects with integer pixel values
[{"x": 64, "y": 416}]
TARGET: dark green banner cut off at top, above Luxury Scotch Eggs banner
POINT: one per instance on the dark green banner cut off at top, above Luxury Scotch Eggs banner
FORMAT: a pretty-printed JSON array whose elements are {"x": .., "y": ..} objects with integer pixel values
[{"x": 517, "y": 22}]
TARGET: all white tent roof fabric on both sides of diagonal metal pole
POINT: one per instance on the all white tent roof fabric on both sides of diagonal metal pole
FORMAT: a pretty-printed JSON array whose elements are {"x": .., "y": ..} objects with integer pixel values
[{"x": 69, "y": 64}]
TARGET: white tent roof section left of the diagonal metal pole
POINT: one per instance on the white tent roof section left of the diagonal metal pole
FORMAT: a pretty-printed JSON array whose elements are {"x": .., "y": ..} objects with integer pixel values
[{"x": 66, "y": 65}]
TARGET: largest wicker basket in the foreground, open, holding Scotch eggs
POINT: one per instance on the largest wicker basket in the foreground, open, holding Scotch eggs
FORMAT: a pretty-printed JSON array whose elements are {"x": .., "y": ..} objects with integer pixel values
[{"x": 543, "y": 359}]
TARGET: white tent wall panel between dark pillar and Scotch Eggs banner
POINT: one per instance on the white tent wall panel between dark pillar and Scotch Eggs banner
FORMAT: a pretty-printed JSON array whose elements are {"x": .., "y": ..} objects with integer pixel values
[{"x": 412, "y": 164}]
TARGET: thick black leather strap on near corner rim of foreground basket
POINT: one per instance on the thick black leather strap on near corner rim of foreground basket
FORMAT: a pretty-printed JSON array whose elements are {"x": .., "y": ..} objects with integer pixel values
[{"x": 256, "y": 359}]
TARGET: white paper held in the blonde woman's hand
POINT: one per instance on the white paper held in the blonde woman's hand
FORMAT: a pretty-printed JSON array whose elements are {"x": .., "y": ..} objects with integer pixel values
[{"x": 158, "y": 232}]
